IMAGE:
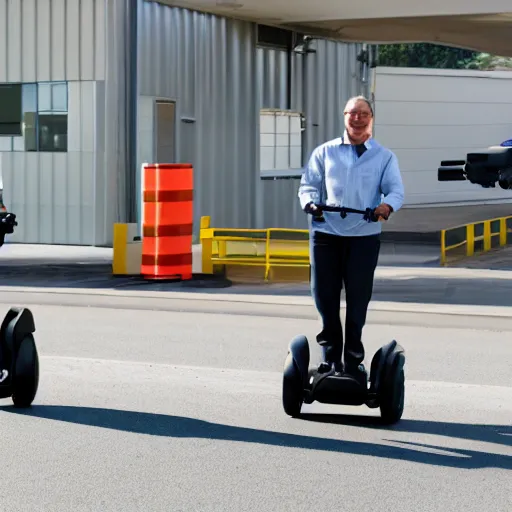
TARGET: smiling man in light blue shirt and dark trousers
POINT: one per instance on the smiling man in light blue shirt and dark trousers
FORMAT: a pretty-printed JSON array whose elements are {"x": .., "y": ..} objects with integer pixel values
[{"x": 354, "y": 171}]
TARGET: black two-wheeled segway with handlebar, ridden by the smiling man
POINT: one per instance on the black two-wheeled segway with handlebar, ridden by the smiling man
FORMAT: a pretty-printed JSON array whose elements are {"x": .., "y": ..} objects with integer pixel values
[{"x": 302, "y": 384}]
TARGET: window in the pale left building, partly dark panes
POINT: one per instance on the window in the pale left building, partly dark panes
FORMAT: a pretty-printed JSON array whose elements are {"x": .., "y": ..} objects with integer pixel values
[{"x": 34, "y": 117}]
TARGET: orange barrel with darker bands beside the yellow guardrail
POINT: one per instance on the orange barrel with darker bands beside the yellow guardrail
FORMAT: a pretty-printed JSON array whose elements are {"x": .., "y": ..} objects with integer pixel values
[{"x": 168, "y": 191}]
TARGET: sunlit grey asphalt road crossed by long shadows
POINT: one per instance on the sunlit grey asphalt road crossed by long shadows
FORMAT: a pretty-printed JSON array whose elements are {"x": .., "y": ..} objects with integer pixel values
[{"x": 172, "y": 403}]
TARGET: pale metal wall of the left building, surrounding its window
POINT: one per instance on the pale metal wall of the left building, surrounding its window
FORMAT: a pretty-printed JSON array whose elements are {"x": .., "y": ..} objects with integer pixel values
[{"x": 65, "y": 197}]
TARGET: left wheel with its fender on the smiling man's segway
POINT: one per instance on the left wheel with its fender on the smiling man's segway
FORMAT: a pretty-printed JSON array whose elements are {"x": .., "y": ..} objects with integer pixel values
[{"x": 295, "y": 375}]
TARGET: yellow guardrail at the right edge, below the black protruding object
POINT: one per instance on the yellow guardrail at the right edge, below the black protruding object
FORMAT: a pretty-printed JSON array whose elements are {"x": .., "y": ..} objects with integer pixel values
[{"x": 477, "y": 237}]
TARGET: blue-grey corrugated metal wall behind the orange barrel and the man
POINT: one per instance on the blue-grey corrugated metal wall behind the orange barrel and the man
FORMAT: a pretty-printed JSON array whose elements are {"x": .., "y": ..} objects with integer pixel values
[{"x": 219, "y": 79}]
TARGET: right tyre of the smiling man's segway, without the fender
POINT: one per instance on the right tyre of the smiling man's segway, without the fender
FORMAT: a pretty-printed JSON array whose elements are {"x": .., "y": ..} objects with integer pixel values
[{"x": 392, "y": 395}]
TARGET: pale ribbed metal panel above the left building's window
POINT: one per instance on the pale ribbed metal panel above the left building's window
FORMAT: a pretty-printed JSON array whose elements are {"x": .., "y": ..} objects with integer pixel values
[{"x": 43, "y": 40}]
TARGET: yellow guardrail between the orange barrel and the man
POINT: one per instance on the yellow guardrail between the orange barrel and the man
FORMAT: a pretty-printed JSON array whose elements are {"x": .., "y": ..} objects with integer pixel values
[{"x": 272, "y": 247}]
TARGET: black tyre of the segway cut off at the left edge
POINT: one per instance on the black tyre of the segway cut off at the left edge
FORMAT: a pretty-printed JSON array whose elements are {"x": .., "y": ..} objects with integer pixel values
[{"x": 26, "y": 373}]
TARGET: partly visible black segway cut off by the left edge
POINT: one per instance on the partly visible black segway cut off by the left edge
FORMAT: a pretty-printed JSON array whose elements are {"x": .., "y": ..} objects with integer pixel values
[{"x": 19, "y": 361}]
